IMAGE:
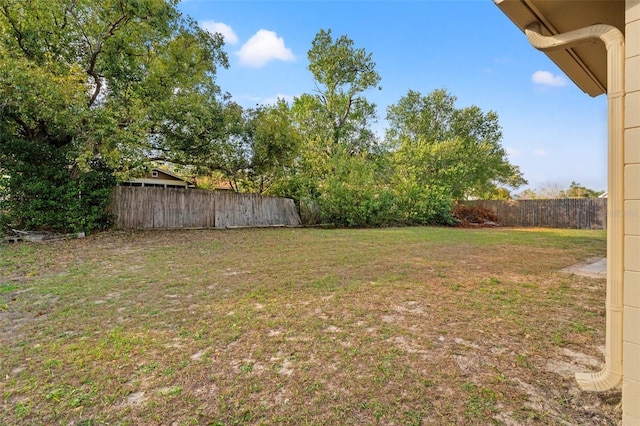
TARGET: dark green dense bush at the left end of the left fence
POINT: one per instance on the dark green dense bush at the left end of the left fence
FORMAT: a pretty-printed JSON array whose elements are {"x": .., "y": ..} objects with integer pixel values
[{"x": 45, "y": 192}]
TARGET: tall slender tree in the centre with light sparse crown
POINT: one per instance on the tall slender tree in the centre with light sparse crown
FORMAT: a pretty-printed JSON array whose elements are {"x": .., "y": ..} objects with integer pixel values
[{"x": 336, "y": 170}]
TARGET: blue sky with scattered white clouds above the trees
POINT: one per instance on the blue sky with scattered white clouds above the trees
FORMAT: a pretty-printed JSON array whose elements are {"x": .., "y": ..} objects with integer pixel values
[{"x": 551, "y": 129}]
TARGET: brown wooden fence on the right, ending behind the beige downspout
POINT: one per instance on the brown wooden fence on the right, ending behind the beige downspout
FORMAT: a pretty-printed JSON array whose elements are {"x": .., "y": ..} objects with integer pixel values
[{"x": 580, "y": 213}]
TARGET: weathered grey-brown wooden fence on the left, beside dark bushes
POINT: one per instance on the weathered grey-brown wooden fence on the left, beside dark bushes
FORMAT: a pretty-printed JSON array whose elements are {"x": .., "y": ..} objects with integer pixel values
[{"x": 159, "y": 208}]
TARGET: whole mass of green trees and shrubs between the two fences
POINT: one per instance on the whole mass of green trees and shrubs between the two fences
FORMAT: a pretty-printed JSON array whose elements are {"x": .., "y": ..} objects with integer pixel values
[{"x": 434, "y": 153}]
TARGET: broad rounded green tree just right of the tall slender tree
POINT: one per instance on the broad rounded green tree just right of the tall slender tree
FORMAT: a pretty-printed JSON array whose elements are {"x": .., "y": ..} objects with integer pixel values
[{"x": 457, "y": 150}]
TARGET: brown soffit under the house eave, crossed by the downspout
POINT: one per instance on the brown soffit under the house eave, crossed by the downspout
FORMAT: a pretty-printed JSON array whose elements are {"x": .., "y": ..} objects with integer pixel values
[{"x": 586, "y": 64}]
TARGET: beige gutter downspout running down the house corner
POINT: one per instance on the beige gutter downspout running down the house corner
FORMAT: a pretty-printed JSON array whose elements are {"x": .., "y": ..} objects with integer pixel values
[{"x": 611, "y": 375}]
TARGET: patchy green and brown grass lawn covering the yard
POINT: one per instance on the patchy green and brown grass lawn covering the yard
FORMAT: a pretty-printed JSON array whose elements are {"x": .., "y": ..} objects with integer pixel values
[{"x": 302, "y": 326}]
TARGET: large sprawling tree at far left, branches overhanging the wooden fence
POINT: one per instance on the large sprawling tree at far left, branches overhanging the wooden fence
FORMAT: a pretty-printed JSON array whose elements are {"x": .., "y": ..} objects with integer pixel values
[{"x": 101, "y": 87}]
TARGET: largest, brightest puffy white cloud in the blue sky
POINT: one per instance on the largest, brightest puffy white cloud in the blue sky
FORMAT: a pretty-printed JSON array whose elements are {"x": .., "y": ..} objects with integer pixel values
[{"x": 264, "y": 46}]
